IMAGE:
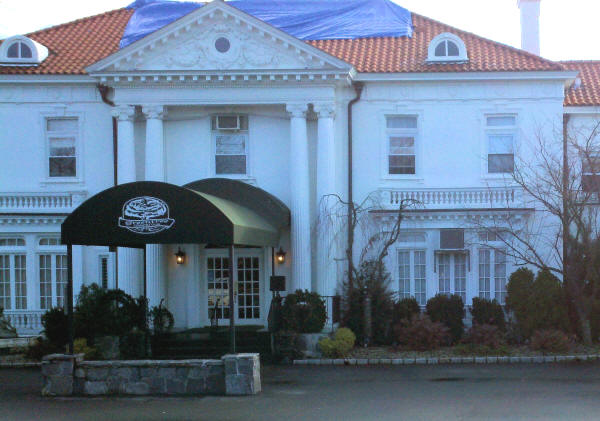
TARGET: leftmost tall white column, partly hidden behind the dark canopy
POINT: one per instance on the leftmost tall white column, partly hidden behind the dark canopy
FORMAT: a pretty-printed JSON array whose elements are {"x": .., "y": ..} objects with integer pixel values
[{"x": 128, "y": 271}]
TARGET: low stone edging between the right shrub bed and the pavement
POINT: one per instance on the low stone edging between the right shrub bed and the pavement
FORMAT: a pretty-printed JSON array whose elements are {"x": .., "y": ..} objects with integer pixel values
[{"x": 449, "y": 360}]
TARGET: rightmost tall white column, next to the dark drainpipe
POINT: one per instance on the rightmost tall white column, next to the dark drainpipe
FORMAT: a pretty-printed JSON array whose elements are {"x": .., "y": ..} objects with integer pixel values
[{"x": 326, "y": 250}]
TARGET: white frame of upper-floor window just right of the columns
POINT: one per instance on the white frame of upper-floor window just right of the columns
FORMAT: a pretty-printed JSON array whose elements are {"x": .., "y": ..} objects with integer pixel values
[{"x": 410, "y": 132}]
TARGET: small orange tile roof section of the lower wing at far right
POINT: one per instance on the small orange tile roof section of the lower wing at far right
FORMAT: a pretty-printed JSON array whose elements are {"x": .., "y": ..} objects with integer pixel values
[{"x": 587, "y": 92}]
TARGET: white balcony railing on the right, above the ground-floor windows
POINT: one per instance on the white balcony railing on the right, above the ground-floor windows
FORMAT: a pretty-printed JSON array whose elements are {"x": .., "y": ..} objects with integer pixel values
[{"x": 505, "y": 197}]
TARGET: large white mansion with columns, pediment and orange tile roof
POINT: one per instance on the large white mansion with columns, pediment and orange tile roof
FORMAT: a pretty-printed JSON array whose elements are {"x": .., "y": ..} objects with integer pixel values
[{"x": 438, "y": 115}]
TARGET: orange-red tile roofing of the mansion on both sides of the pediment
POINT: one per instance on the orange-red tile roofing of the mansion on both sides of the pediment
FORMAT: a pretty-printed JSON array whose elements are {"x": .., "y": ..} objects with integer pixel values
[{"x": 74, "y": 46}]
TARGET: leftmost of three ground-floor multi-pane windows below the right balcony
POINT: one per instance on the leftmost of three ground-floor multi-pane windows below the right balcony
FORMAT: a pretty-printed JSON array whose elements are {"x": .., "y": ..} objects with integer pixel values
[{"x": 412, "y": 270}]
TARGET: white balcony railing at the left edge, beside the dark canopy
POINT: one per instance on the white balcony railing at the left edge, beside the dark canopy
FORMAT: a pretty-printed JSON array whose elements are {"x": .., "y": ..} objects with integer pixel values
[{"x": 40, "y": 202}]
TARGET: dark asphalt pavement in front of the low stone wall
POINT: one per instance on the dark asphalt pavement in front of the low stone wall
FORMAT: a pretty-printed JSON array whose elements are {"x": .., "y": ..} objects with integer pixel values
[{"x": 559, "y": 391}]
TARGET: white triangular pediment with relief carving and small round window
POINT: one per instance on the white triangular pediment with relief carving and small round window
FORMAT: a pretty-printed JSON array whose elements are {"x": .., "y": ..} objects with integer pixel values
[{"x": 240, "y": 48}]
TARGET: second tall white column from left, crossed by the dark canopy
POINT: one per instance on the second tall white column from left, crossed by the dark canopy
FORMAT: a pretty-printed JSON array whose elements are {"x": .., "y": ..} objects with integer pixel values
[{"x": 156, "y": 283}]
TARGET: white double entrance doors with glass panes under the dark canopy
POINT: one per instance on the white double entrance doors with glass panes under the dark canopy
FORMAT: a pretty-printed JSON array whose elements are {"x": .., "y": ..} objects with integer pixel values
[{"x": 247, "y": 293}]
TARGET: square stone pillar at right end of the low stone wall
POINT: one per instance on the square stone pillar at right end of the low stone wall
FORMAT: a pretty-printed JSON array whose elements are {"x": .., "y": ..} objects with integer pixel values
[{"x": 242, "y": 374}]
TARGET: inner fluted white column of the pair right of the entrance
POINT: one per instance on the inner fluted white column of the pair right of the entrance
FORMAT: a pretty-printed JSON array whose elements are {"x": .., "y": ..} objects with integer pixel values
[{"x": 300, "y": 197}]
